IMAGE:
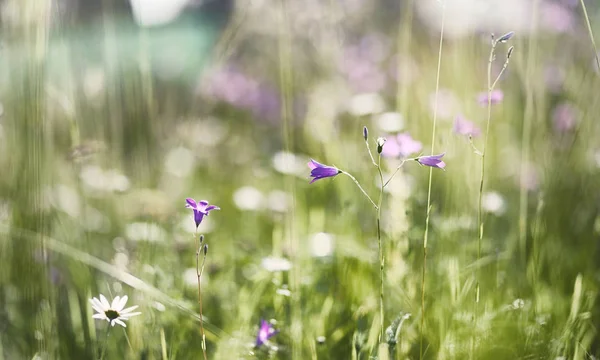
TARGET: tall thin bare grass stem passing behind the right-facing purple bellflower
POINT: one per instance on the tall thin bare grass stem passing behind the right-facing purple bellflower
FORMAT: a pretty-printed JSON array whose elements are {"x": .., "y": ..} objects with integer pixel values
[{"x": 426, "y": 235}]
